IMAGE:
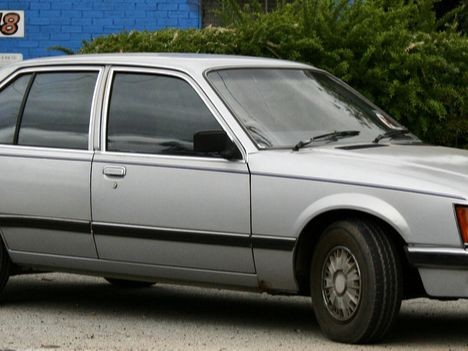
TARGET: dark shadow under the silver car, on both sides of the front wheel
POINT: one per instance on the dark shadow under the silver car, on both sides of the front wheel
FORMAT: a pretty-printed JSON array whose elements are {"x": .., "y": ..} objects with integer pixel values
[{"x": 423, "y": 323}]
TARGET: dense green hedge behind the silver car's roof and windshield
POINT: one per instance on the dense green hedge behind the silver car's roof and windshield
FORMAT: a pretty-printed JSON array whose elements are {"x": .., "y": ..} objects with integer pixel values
[{"x": 393, "y": 51}]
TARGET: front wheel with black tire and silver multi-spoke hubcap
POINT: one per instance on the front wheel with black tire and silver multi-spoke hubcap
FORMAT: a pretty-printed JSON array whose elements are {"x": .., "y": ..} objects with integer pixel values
[{"x": 351, "y": 254}]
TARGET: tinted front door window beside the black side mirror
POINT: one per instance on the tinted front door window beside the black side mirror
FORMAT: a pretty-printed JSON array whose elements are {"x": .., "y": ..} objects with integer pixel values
[{"x": 155, "y": 114}]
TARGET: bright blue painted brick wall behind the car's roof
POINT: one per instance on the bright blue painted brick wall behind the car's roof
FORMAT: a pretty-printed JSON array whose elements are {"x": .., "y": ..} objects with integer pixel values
[{"x": 67, "y": 23}]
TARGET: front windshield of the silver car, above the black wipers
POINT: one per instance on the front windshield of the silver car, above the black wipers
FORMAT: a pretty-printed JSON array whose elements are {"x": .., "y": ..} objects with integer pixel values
[{"x": 281, "y": 107}]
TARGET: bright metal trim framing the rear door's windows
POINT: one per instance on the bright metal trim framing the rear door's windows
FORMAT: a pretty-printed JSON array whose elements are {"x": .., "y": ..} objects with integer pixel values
[{"x": 61, "y": 69}]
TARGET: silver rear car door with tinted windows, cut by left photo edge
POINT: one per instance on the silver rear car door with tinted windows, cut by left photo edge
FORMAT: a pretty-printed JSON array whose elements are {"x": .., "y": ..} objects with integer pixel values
[{"x": 45, "y": 157}]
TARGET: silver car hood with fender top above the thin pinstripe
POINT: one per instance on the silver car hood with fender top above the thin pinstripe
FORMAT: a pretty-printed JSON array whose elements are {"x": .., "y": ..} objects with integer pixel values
[{"x": 413, "y": 167}]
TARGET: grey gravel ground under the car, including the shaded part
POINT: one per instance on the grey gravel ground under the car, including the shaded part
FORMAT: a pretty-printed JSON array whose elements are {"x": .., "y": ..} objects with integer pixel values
[{"x": 70, "y": 312}]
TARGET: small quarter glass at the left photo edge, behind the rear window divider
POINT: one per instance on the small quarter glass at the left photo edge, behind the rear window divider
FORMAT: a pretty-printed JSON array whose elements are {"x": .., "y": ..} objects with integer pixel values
[{"x": 11, "y": 98}]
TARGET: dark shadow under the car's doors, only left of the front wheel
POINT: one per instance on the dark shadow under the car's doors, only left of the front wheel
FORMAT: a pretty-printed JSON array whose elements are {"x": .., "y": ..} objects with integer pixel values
[{"x": 162, "y": 302}]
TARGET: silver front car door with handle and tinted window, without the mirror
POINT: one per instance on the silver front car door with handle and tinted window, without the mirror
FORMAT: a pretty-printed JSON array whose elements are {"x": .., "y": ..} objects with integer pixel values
[{"x": 155, "y": 200}]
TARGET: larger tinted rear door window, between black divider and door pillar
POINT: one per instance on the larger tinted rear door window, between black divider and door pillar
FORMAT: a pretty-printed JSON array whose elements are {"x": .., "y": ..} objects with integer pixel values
[{"x": 58, "y": 110}]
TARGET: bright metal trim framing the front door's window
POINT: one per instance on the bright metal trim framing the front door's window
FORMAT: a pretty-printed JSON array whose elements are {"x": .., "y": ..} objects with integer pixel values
[{"x": 176, "y": 74}]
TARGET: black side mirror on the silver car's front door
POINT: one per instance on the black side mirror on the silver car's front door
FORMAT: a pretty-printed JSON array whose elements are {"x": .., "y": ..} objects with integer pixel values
[{"x": 215, "y": 142}]
